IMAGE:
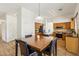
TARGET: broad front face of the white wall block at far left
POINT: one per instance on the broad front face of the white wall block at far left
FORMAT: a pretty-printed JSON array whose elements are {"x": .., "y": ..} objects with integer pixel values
[{"x": 11, "y": 22}]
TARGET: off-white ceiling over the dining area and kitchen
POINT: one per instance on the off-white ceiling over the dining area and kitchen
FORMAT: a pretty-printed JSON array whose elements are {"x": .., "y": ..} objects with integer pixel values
[{"x": 46, "y": 9}]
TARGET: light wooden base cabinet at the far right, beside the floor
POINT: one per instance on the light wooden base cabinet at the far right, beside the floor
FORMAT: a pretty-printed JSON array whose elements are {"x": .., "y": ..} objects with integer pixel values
[{"x": 72, "y": 44}]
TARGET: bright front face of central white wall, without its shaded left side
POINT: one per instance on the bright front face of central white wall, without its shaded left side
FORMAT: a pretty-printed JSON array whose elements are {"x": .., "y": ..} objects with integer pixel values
[{"x": 27, "y": 22}]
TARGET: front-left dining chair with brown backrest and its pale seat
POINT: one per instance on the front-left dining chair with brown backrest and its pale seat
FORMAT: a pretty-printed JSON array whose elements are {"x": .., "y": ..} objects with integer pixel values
[{"x": 25, "y": 50}]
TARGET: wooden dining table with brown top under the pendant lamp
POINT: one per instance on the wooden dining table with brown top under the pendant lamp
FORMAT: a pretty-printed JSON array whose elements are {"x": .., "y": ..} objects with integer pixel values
[{"x": 39, "y": 44}]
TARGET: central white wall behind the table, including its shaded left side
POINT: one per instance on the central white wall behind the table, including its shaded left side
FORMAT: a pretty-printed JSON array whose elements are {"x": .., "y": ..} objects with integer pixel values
[{"x": 25, "y": 21}]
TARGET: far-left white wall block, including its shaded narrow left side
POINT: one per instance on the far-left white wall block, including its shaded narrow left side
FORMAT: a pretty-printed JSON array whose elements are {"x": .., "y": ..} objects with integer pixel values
[{"x": 9, "y": 28}]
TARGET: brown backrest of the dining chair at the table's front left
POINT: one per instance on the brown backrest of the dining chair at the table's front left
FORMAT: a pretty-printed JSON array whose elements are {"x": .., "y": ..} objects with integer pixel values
[{"x": 23, "y": 48}]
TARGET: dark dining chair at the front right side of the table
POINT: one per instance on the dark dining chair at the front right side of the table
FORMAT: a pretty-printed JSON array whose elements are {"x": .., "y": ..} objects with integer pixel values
[{"x": 51, "y": 48}]
